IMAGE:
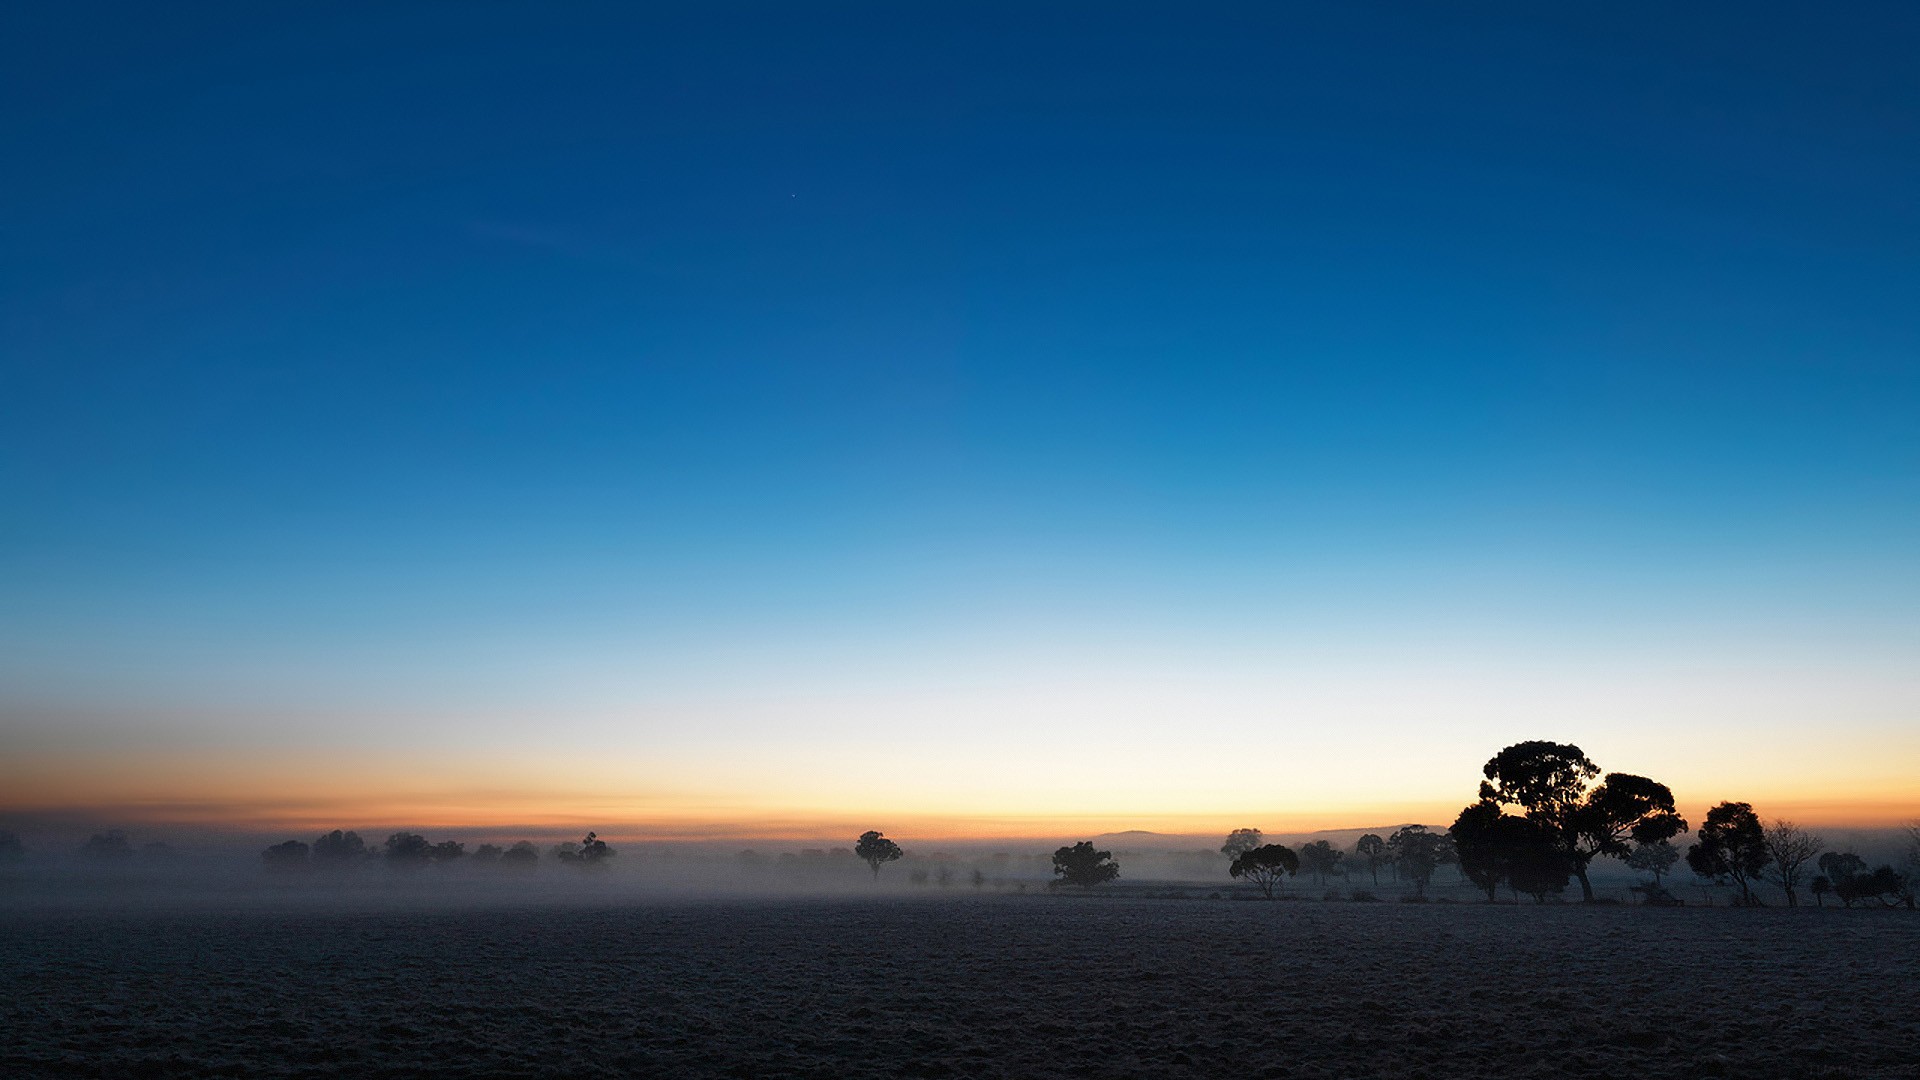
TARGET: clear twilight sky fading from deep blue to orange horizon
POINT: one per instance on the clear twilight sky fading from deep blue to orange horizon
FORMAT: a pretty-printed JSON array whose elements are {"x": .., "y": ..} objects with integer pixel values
[{"x": 957, "y": 420}]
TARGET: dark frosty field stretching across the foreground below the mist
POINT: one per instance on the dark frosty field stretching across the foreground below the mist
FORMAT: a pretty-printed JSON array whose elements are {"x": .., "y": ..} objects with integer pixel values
[{"x": 992, "y": 987}]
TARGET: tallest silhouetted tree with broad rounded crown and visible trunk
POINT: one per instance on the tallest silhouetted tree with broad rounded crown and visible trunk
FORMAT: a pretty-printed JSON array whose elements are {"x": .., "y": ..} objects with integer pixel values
[{"x": 1550, "y": 781}]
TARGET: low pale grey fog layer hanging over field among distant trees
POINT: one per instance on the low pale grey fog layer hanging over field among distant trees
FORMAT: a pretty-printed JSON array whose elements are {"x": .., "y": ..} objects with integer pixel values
[{"x": 114, "y": 870}]
